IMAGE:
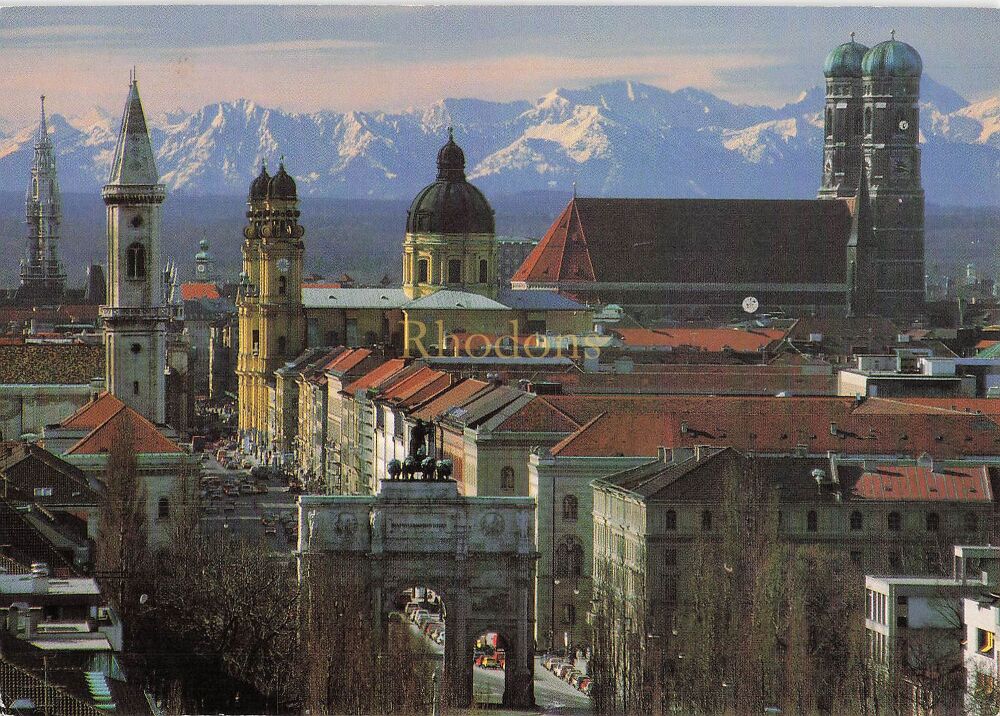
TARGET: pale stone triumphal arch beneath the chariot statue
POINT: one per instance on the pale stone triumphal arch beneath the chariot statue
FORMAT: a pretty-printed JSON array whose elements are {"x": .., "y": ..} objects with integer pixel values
[{"x": 477, "y": 553}]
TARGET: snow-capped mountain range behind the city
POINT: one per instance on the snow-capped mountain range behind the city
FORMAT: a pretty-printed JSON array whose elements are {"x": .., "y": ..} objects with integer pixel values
[{"x": 618, "y": 138}]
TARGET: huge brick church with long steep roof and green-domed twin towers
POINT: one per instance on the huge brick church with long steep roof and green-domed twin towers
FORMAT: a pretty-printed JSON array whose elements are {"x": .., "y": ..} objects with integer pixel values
[{"x": 858, "y": 249}]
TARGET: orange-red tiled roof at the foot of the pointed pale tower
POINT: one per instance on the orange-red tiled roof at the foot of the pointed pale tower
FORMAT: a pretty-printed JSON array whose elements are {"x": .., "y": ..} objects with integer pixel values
[{"x": 120, "y": 423}]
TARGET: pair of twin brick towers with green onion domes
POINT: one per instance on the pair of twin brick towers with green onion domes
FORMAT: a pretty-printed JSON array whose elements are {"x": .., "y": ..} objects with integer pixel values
[{"x": 872, "y": 156}]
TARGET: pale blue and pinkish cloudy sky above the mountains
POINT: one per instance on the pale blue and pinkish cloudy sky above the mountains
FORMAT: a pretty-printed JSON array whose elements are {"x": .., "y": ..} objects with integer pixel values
[{"x": 308, "y": 58}]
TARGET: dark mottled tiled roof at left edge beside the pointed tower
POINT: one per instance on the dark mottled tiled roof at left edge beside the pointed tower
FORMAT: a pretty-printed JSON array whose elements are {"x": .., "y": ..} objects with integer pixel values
[{"x": 51, "y": 363}]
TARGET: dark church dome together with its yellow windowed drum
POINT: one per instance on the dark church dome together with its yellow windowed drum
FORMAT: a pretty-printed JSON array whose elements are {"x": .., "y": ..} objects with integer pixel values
[{"x": 450, "y": 241}]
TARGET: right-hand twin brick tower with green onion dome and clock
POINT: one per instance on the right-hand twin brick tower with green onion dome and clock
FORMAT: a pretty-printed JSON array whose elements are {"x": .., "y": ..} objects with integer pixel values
[{"x": 891, "y": 147}]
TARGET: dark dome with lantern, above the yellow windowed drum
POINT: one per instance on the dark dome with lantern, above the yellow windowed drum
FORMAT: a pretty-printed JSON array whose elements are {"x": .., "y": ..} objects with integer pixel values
[{"x": 451, "y": 205}]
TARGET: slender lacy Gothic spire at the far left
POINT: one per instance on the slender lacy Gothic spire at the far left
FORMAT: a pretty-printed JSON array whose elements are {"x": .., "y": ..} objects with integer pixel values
[{"x": 42, "y": 276}]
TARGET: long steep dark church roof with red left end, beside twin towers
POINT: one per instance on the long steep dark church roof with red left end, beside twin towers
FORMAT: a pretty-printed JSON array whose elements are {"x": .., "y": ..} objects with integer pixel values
[{"x": 693, "y": 241}]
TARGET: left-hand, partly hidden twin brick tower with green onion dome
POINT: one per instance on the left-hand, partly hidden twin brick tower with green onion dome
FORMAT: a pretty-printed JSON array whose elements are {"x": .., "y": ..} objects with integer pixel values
[{"x": 842, "y": 121}]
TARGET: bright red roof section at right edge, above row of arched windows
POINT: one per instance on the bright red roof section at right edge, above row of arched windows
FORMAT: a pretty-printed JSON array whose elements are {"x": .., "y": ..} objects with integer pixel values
[{"x": 914, "y": 482}]
